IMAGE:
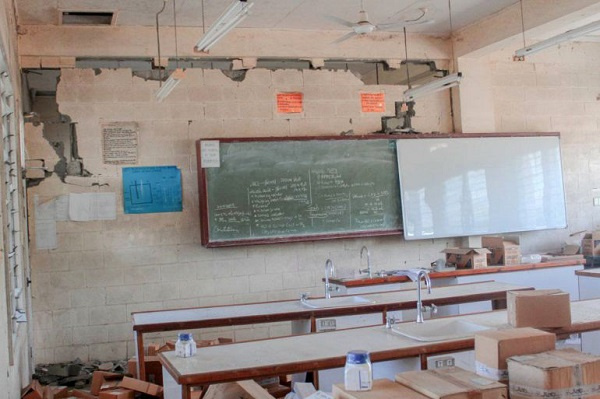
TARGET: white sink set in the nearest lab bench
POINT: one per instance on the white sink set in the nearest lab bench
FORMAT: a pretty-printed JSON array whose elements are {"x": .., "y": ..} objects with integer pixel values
[{"x": 438, "y": 330}]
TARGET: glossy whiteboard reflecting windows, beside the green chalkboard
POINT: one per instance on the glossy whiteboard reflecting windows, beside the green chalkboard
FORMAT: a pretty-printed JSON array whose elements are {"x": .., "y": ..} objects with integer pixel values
[{"x": 452, "y": 187}]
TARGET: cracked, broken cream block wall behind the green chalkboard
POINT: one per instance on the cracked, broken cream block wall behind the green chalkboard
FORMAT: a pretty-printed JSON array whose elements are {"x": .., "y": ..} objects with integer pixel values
[{"x": 85, "y": 290}]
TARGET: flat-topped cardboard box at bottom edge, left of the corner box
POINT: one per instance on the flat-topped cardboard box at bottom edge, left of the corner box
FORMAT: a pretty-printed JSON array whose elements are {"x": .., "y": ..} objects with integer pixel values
[{"x": 452, "y": 383}]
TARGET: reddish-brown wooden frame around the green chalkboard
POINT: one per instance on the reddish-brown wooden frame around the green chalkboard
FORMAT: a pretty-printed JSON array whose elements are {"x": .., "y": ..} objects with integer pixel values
[{"x": 203, "y": 194}]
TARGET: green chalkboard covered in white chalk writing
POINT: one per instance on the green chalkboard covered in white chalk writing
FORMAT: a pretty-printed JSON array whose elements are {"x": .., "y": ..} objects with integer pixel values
[{"x": 299, "y": 189}]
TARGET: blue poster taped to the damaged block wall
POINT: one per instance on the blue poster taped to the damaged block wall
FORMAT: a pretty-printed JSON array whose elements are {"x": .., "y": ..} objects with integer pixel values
[{"x": 152, "y": 189}]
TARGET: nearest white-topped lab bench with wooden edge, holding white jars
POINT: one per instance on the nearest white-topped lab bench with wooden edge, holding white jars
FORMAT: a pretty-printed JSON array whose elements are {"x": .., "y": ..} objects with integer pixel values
[{"x": 270, "y": 357}]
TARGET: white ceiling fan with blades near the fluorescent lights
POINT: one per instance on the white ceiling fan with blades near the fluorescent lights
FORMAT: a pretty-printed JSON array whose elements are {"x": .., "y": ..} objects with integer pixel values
[{"x": 364, "y": 26}]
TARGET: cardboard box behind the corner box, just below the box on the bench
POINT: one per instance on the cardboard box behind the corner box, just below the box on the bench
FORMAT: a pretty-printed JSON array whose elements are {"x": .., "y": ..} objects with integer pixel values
[{"x": 493, "y": 347}]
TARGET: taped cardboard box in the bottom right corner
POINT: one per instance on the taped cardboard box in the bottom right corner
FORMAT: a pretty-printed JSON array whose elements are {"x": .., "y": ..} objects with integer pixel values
[{"x": 565, "y": 373}]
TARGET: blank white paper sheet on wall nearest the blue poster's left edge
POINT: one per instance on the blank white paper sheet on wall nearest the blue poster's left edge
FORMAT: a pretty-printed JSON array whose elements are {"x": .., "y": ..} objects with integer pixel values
[{"x": 92, "y": 206}]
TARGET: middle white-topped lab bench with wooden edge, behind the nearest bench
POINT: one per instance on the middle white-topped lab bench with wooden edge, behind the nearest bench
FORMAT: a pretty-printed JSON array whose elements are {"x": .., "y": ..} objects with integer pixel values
[{"x": 268, "y": 312}]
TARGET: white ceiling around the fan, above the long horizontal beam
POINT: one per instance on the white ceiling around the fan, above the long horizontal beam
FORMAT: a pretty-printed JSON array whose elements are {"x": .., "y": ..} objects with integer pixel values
[{"x": 272, "y": 14}]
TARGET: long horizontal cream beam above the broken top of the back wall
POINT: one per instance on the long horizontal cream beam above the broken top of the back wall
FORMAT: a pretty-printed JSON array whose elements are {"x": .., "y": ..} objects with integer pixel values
[{"x": 47, "y": 40}]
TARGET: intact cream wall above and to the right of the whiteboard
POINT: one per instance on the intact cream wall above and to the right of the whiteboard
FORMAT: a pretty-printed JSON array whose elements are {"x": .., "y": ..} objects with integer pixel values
[{"x": 556, "y": 90}]
